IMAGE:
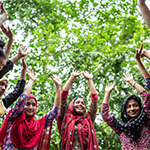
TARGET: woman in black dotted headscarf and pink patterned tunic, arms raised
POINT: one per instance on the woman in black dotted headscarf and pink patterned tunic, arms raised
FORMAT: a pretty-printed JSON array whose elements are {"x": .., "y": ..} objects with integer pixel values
[{"x": 134, "y": 131}]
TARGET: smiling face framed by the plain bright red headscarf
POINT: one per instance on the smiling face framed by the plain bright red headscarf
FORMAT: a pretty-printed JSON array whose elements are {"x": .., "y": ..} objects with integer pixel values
[{"x": 30, "y": 107}]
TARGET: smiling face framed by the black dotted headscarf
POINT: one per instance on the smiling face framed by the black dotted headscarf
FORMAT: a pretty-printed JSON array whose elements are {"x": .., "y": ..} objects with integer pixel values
[{"x": 132, "y": 108}]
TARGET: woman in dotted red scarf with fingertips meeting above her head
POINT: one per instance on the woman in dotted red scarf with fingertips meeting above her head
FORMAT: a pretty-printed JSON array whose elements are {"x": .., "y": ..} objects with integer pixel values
[{"x": 76, "y": 128}]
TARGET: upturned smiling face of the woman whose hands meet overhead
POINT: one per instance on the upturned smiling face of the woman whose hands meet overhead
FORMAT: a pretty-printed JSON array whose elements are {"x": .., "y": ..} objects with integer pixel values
[{"x": 79, "y": 106}]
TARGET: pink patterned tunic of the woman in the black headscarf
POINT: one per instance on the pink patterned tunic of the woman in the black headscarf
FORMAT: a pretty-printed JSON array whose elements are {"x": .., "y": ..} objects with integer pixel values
[{"x": 143, "y": 142}]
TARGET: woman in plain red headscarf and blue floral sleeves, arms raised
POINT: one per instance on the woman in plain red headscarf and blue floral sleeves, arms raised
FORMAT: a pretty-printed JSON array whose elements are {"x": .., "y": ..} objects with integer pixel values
[{"x": 20, "y": 130}]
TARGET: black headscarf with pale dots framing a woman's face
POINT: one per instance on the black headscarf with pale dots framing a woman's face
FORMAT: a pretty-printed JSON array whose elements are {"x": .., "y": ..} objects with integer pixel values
[{"x": 131, "y": 126}]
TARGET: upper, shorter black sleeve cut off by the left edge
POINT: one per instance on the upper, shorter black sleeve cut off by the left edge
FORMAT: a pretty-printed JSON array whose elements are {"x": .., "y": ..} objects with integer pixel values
[{"x": 9, "y": 66}]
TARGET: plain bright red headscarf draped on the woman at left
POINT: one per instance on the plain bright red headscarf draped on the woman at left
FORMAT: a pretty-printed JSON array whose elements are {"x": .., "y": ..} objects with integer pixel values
[{"x": 27, "y": 132}]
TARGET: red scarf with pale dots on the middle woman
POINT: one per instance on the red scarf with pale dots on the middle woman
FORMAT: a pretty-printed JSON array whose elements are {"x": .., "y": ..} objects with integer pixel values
[{"x": 85, "y": 128}]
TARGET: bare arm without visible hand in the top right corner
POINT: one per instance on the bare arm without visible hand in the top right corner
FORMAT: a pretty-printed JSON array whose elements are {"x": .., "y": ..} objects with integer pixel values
[{"x": 144, "y": 11}]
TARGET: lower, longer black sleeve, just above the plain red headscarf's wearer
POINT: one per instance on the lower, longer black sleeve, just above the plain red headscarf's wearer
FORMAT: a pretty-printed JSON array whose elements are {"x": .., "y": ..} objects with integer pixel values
[{"x": 11, "y": 97}]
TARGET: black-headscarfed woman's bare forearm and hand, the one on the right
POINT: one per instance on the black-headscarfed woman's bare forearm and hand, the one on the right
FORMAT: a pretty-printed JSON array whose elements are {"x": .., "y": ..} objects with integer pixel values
[{"x": 129, "y": 78}]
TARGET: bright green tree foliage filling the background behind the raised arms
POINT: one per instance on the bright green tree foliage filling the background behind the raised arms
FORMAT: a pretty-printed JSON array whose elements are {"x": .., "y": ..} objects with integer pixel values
[{"x": 98, "y": 36}]
